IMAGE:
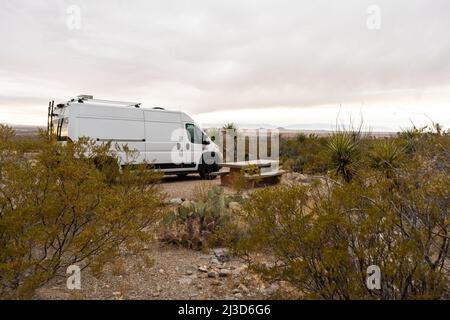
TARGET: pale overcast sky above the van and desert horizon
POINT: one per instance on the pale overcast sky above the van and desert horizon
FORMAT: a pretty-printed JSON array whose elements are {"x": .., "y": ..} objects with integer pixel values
[{"x": 259, "y": 62}]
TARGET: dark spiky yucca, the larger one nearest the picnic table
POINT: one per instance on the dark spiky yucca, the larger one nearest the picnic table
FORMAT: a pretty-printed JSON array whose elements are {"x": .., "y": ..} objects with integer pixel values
[{"x": 344, "y": 150}]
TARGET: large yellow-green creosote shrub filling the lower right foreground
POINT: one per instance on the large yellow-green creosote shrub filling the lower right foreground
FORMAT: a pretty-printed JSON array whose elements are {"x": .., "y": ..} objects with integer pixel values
[{"x": 322, "y": 238}]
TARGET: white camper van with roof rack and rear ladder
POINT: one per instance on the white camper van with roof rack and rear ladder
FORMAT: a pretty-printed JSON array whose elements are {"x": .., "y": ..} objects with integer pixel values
[{"x": 170, "y": 140}]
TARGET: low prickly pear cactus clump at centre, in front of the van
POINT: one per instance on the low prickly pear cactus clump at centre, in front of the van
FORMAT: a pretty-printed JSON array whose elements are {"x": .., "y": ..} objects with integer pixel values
[{"x": 193, "y": 223}]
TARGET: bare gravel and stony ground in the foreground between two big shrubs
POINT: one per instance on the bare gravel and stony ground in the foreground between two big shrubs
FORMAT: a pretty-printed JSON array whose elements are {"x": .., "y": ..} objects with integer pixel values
[{"x": 165, "y": 272}]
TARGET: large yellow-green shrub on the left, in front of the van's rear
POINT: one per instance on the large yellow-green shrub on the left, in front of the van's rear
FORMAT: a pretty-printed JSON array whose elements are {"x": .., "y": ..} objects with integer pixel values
[{"x": 58, "y": 209}]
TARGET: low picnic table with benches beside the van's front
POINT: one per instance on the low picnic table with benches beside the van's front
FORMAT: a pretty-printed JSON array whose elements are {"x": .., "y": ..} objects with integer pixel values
[{"x": 254, "y": 172}]
